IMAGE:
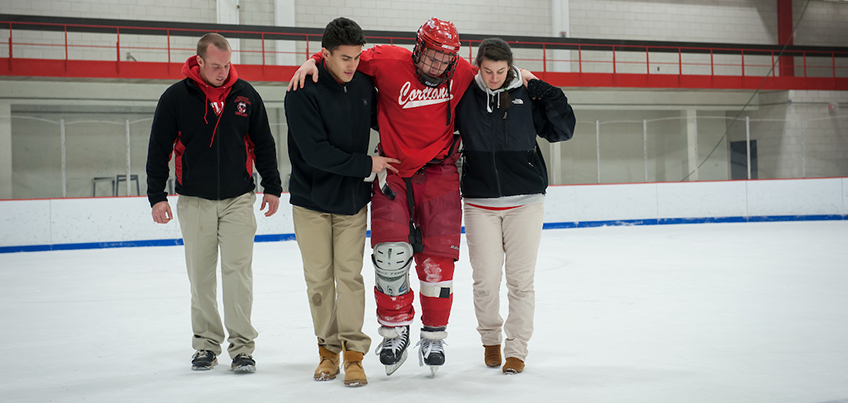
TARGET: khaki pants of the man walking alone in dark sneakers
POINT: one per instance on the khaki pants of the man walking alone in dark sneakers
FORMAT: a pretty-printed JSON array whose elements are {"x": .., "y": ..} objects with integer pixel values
[{"x": 228, "y": 225}]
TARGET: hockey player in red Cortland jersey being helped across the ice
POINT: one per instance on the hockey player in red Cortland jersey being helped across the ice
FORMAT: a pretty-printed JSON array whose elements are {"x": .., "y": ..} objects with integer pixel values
[{"x": 419, "y": 217}]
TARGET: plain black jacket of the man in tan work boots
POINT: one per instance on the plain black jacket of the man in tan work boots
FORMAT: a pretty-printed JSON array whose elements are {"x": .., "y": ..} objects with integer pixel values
[{"x": 329, "y": 128}]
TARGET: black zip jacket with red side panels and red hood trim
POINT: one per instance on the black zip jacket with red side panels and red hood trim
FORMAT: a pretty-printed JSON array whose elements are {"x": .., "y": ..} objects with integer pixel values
[{"x": 213, "y": 168}]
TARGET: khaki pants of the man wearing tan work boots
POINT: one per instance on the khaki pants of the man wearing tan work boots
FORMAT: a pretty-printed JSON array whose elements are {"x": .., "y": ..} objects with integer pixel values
[{"x": 332, "y": 247}]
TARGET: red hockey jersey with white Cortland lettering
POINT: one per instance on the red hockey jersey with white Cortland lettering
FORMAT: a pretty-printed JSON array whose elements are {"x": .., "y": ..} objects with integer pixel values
[{"x": 413, "y": 118}]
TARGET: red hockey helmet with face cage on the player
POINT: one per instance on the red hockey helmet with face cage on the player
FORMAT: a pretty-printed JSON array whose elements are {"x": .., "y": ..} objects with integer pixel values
[{"x": 436, "y": 47}]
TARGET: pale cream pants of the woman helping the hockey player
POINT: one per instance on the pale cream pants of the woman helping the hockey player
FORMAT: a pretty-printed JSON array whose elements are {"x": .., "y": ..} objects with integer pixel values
[{"x": 493, "y": 235}]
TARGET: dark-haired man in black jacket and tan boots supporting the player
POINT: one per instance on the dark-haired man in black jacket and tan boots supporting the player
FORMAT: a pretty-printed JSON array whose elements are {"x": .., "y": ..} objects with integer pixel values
[{"x": 329, "y": 128}]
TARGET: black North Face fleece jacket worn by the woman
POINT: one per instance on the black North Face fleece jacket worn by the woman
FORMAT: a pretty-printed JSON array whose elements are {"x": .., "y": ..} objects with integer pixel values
[{"x": 501, "y": 157}]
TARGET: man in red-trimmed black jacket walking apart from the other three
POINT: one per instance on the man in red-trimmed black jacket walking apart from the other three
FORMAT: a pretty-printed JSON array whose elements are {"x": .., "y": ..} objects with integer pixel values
[{"x": 216, "y": 126}]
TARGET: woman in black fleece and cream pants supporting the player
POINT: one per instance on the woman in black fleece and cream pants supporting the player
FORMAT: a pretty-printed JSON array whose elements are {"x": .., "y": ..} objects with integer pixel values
[{"x": 503, "y": 184}]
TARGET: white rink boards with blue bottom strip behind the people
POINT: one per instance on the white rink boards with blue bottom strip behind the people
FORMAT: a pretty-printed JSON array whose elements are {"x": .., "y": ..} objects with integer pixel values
[{"x": 121, "y": 221}]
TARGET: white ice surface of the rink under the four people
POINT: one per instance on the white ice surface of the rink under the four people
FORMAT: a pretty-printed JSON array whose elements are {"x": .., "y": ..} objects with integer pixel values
[{"x": 754, "y": 312}]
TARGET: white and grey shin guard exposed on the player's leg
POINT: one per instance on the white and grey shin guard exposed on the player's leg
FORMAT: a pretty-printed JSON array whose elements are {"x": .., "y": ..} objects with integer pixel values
[{"x": 392, "y": 261}]
